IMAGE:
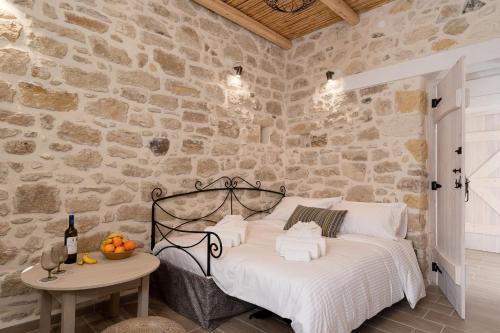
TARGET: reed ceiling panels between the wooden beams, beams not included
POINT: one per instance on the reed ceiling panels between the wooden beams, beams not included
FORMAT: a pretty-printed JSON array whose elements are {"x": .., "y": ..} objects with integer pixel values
[{"x": 296, "y": 25}]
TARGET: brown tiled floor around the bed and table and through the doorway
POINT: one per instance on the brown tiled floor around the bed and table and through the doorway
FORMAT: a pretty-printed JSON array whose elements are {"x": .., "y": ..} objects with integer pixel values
[{"x": 432, "y": 315}]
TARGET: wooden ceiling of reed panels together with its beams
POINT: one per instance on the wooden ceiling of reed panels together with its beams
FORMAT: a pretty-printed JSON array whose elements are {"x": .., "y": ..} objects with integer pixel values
[{"x": 280, "y": 28}]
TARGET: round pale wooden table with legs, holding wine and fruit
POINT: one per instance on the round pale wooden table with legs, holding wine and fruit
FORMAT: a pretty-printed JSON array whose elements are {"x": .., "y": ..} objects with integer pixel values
[{"x": 91, "y": 281}]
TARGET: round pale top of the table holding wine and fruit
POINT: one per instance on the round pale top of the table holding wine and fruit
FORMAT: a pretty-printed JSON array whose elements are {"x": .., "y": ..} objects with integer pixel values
[{"x": 104, "y": 273}]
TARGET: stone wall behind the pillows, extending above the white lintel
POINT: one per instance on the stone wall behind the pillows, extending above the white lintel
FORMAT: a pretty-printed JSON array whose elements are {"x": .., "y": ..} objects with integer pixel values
[{"x": 369, "y": 145}]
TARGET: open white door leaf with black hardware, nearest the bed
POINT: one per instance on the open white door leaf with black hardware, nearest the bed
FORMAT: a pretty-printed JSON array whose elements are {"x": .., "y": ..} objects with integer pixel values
[{"x": 449, "y": 247}]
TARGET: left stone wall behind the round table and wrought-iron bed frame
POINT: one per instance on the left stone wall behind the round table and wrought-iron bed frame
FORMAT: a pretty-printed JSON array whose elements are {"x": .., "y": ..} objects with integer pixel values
[{"x": 101, "y": 101}]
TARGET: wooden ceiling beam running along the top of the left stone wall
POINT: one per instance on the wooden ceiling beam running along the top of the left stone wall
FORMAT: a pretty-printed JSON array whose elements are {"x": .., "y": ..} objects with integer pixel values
[{"x": 238, "y": 17}]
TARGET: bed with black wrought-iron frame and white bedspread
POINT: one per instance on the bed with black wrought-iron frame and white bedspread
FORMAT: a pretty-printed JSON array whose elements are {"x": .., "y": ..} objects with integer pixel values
[{"x": 358, "y": 277}]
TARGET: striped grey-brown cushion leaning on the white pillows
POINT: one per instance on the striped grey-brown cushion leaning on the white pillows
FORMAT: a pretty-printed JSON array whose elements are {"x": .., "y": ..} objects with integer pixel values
[{"x": 329, "y": 220}]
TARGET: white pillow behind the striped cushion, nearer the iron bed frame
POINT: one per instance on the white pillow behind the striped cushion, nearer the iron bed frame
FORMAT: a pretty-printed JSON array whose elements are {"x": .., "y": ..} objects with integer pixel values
[{"x": 286, "y": 207}]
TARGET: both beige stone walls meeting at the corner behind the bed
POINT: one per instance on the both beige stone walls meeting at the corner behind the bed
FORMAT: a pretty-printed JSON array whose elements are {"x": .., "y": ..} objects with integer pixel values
[{"x": 100, "y": 101}]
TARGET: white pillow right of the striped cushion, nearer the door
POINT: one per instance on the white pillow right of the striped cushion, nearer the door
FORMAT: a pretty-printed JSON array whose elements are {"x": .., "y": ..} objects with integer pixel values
[{"x": 384, "y": 220}]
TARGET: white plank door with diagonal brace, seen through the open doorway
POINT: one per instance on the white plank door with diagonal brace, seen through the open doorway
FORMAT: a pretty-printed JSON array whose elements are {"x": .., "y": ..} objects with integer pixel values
[{"x": 482, "y": 215}]
